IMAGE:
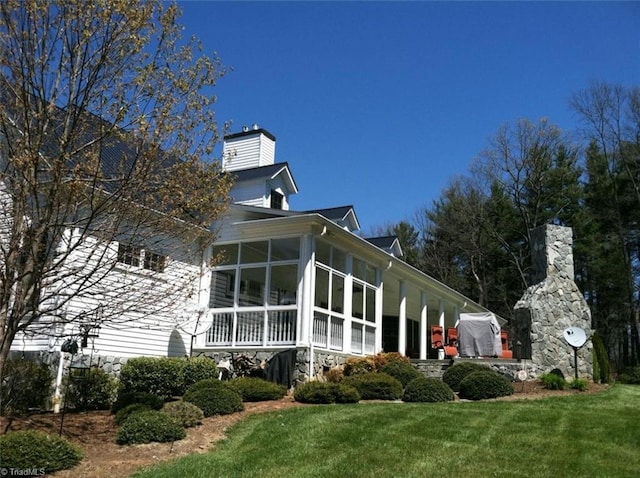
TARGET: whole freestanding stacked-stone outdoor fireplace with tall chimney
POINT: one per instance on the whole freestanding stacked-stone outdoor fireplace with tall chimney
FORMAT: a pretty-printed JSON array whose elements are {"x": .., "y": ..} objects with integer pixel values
[{"x": 552, "y": 304}]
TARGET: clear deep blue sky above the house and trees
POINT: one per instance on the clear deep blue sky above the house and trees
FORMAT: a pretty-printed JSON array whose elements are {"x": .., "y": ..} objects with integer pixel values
[{"x": 380, "y": 104}]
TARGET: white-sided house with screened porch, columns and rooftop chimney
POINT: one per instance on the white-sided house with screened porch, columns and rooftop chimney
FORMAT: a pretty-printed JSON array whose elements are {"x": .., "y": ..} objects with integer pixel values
[{"x": 284, "y": 279}]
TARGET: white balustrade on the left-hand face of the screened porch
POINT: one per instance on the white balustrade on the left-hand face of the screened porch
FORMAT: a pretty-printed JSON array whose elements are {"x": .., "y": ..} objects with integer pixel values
[{"x": 257, "y": 327}]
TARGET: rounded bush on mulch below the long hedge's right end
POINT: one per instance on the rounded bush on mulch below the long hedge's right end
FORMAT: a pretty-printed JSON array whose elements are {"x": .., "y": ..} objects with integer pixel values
[{"x": 214, "y": 397}]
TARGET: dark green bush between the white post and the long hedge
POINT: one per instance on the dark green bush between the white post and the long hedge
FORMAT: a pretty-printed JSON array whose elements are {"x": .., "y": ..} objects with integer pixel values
[{"x": 90, "y": 389}]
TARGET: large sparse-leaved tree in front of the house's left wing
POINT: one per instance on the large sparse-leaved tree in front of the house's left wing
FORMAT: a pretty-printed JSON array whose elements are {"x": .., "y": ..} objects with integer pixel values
[{"x": 105, "y": 117}]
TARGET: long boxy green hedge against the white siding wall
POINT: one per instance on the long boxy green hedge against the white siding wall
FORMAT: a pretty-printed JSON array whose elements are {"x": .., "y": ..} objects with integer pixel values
[{"x": 165, "y": 376}]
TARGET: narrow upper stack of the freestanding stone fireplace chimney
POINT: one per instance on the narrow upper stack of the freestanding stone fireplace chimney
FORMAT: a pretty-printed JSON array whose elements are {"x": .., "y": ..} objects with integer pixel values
[{"x": 551, "y": 252}]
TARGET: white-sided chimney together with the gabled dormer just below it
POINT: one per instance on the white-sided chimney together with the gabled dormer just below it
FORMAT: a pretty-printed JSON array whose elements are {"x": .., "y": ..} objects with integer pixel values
[{"x": 259, "y": 181}]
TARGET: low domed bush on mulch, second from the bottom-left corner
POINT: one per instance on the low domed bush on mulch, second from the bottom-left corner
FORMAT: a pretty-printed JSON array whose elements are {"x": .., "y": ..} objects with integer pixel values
[{"x": 149, "y": 426}]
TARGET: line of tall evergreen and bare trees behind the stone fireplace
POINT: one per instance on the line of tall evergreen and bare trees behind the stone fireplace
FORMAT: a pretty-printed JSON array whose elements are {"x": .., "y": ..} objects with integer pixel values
[{"x": 475, "y": 237}]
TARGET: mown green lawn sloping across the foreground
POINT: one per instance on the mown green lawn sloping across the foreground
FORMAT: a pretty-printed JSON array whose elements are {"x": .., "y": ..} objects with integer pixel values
[{"x": 595, "y": 435}]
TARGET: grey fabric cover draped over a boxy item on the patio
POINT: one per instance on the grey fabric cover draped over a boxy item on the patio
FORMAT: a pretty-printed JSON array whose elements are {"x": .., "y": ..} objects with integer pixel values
[{"x": 479, "y": 335}]
